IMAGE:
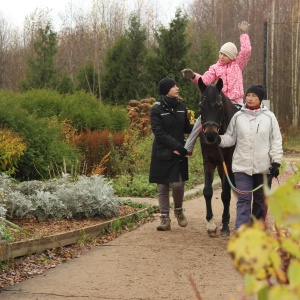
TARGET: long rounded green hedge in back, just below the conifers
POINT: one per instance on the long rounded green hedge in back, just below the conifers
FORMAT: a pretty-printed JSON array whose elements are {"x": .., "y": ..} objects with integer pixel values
[{"x": 82, "y": 109}]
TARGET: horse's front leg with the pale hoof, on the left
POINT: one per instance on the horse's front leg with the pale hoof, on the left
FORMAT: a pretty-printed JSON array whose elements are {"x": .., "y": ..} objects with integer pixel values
[{"x": 208, "y": 193}]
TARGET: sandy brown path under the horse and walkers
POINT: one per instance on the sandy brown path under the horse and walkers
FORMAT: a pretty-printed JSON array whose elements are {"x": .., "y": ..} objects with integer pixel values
[{"x": 147, "y": 264}]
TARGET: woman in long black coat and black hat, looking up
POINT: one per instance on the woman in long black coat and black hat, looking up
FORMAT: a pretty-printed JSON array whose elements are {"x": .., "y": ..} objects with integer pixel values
[{"x": 169, "y": 164}]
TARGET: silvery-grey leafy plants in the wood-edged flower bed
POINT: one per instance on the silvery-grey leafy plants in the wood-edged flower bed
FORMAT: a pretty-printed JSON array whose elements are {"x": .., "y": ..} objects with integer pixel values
[{"x": 86, "y": 197}]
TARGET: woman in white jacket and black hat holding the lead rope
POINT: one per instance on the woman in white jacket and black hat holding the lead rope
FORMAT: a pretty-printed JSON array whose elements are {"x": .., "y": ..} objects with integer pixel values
[{"x": 255, "y": 131}]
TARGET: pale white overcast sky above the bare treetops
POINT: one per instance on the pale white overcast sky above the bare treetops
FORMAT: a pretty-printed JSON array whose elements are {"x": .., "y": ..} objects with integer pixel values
[{"x": 17, "y": 10}]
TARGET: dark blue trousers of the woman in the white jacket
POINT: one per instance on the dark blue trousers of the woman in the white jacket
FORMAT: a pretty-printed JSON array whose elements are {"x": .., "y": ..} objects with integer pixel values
[{"x": 244, "y": 212}]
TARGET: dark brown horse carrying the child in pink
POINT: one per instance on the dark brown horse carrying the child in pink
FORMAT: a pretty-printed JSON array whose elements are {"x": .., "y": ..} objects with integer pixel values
[{"x": 216, "y": 112}]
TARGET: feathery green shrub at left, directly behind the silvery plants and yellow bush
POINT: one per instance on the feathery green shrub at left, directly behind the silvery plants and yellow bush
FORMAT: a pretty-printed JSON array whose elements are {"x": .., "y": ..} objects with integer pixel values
[{"x": 46, "y": 153}]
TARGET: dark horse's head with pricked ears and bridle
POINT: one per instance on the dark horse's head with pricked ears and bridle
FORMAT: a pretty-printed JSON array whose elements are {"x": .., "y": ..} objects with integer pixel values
[{"x": 211, "y": 109}]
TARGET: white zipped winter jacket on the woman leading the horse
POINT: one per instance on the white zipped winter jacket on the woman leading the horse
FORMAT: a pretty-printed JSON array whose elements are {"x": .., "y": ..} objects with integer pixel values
[{"x": 258, "y": 140}]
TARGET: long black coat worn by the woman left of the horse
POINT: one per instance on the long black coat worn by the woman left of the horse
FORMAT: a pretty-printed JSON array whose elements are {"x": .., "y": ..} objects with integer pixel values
[{"x": 169, "y": 124}]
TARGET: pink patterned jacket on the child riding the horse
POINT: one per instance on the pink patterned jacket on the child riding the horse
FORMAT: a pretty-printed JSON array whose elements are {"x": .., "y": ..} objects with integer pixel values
[{"x": 230, "y": 73}]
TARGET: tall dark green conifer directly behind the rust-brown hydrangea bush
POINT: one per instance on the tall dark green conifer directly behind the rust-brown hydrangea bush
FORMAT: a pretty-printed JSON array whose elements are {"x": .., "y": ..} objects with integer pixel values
[{"x": 124, "y": 66}]
